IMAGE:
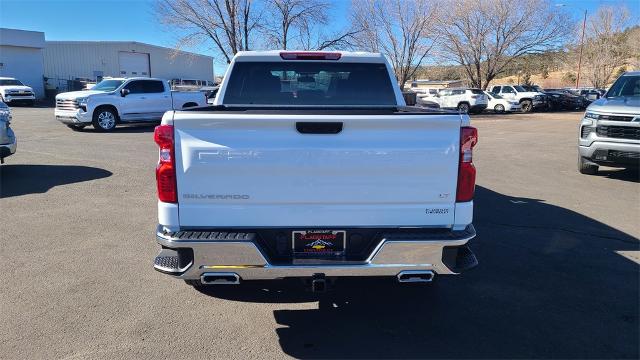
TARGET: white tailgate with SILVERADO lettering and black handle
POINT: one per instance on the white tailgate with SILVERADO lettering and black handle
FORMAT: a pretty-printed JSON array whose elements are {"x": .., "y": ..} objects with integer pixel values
[{"x": 255, "y": 170}]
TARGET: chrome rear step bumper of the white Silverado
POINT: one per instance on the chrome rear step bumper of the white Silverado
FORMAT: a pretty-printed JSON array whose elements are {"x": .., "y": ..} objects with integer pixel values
[{"x": 395, "y": 255}]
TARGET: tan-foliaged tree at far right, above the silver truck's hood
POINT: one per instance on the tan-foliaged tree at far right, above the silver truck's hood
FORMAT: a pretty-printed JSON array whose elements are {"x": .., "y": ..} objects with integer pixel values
[{"x": 606, "y": 46}]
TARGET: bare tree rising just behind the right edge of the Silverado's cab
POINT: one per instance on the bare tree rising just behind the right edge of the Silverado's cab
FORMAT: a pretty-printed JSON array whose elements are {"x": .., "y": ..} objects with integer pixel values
[{"x": 400, "y": 29}]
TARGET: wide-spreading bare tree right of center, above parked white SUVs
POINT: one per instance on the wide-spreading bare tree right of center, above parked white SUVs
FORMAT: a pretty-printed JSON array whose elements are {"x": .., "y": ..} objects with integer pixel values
[{"x": 486, "y": 36}]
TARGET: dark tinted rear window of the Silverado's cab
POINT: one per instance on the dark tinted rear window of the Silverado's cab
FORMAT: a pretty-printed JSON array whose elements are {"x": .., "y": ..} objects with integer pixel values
[{"x": 309, "y": 83}]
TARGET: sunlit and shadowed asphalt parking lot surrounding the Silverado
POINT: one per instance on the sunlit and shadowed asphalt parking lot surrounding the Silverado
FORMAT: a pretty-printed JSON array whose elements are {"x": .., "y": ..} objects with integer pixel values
[{"x": 558, "y": 251}]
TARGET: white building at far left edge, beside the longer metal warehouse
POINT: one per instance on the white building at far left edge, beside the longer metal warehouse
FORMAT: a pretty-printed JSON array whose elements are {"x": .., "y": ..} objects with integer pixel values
[{"x": 21, "y": 57}]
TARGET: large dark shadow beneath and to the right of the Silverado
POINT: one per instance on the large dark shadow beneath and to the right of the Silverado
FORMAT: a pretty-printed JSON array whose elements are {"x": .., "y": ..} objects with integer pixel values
[{"x": 550, "y": 284}]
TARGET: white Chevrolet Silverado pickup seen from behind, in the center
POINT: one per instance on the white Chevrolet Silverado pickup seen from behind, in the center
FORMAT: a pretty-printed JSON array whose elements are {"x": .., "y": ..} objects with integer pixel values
[{"x": 309, "y": 165}]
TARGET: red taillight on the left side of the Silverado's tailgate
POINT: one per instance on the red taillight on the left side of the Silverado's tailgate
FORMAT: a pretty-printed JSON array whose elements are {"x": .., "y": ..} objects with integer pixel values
[{"x": 166, "y": 170}]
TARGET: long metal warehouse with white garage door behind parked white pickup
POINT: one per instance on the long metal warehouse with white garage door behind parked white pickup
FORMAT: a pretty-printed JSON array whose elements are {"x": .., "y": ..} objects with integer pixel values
[{"x": 94, "y": 60}]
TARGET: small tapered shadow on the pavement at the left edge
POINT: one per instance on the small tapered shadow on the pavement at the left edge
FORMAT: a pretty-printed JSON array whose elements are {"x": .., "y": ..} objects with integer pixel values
[{"x": 17, "y": 180}]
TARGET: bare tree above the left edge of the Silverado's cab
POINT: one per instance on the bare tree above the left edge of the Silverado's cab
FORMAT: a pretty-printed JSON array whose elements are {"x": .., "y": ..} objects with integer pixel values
[{"x": 228, "y": 23}]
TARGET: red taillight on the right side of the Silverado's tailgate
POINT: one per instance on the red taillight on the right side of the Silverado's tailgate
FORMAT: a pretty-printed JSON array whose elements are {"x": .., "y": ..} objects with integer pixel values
[{"x": 466, "y": 170}]
